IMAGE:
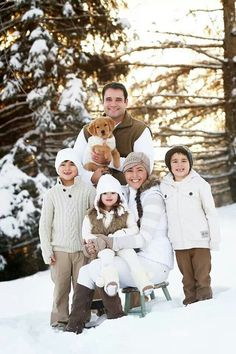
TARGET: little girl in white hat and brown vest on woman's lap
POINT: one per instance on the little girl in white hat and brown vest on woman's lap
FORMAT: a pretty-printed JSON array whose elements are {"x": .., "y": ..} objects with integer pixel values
[{"x": 110, "y": 217}]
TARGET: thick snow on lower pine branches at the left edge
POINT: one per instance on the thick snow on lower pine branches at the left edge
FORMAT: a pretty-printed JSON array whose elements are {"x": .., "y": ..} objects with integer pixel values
[{"x": 17, "y": 209}]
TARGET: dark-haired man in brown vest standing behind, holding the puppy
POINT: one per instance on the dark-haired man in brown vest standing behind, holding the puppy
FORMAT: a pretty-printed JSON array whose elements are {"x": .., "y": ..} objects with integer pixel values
[{"x": 130, "y": 134}]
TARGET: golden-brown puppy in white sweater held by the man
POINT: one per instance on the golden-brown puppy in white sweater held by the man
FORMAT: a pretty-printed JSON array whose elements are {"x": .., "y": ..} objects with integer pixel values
[{"x": 102, "y": 140}]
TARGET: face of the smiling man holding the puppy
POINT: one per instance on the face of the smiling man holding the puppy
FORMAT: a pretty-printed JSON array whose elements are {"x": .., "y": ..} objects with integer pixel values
[{"x": 115, "y": 104}]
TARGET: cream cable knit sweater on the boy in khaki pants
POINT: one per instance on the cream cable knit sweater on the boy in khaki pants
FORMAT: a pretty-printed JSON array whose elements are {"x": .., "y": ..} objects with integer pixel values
[{"x": 62, "y": 215}]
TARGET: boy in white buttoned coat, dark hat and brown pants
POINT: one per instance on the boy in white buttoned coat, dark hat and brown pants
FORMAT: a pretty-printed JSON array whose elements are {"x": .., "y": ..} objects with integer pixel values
[{"x": 192, "y": 223}]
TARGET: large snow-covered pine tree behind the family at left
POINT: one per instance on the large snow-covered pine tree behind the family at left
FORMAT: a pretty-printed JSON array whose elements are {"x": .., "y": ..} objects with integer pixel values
[{"x": 54, "y": 54}]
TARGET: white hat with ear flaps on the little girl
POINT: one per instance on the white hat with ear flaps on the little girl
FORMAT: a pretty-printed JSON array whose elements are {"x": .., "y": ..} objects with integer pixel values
[{"x": 107, "y": 184}]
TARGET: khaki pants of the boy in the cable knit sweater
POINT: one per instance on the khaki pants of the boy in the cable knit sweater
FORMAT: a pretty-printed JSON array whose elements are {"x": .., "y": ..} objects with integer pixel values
[{"x": 64, "y": 272}]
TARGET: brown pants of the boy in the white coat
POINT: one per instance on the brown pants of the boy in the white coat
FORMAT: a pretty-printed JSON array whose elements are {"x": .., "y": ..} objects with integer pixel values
[{"x": 195, "y": 266}]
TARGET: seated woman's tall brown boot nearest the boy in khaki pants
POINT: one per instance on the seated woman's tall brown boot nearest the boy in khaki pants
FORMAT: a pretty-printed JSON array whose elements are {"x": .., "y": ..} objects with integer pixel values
[{"x": 80, "y": 309}]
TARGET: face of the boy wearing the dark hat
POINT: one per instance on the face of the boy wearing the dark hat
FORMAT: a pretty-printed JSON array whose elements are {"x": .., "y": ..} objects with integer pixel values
[{"x": 180, "y": 166}]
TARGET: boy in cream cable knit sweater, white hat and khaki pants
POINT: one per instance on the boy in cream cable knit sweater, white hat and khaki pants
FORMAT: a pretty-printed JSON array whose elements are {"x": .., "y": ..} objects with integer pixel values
[{"x": 63, "y": 210}]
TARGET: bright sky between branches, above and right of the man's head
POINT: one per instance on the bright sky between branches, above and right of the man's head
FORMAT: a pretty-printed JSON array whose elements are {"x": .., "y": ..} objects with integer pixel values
[{"x": 152, "y": 19}]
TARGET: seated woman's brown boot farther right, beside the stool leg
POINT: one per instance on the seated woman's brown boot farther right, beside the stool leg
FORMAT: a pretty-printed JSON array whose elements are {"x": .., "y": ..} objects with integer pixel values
[{"x": 112, "y": 305}]
